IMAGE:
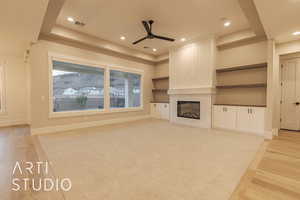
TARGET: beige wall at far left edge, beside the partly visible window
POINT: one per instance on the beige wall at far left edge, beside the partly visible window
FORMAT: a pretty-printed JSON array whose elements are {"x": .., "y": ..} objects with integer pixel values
[{"x": 16, "y": 91}]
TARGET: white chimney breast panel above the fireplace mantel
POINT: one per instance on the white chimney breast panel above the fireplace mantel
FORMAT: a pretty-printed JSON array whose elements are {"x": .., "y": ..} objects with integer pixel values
[{"x": 193, "y": 65}]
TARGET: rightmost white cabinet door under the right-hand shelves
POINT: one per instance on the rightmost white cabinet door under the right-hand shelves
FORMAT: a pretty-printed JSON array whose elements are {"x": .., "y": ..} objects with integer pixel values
[{"x": 257, "y": 120}]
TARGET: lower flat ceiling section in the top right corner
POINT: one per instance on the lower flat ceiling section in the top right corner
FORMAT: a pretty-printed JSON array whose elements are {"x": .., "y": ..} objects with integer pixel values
[{"x": 280, "y": 18}]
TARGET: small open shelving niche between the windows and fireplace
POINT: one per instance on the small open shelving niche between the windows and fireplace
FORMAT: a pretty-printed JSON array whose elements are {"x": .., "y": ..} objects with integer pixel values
[{"x": 160, "y": 90}]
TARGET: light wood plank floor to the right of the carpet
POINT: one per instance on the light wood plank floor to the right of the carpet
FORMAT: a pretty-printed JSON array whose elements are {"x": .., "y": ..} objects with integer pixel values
[{"x": 275, "y": 172}]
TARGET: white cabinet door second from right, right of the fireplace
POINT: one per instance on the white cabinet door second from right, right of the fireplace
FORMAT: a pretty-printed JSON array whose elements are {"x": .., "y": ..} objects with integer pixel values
[{"x": 243, "y": 119}]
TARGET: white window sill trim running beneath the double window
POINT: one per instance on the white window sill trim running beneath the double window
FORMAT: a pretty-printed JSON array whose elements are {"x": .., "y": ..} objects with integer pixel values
[{"x": 91, "y": 112}]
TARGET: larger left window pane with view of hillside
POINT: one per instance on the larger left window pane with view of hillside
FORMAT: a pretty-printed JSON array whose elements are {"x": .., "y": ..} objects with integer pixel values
[{"x": 77, "y": 87}]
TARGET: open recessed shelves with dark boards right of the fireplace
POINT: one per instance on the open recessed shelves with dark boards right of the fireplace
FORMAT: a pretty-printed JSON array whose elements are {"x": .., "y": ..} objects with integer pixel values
[{"x": 242, "y": 85}]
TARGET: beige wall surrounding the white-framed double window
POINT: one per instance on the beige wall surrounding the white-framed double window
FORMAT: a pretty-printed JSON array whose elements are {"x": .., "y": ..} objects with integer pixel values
[{"x": 40, "y": 84}]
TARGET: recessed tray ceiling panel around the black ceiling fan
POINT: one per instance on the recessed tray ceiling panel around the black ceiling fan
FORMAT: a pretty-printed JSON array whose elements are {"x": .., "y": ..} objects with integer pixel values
[{"x": 173, "y": 18}]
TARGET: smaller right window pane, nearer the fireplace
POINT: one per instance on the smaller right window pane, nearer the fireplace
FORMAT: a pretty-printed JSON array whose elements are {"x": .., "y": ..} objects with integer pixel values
[{"x": 125, "y": 89}]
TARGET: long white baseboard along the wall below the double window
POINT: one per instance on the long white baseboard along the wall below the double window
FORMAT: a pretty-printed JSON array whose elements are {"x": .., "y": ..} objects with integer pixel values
[{"x": 61, "y": 128}]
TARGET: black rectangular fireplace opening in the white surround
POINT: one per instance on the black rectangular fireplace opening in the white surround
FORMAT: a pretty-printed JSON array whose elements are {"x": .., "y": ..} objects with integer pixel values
[{"x": 188, "y": 109}]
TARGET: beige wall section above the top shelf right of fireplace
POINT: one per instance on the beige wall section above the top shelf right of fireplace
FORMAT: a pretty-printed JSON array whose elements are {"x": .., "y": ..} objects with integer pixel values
[{"x": 243, "y": 55}]
